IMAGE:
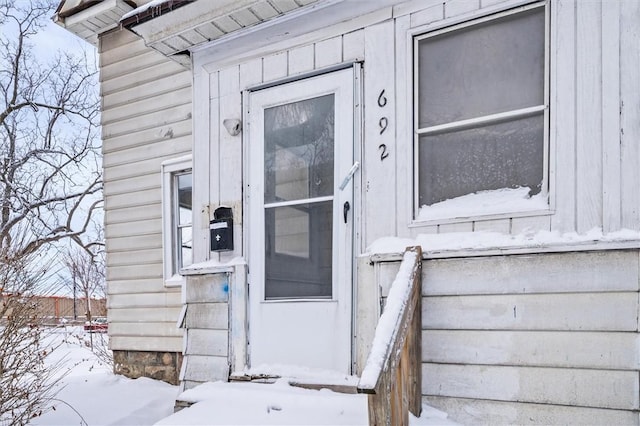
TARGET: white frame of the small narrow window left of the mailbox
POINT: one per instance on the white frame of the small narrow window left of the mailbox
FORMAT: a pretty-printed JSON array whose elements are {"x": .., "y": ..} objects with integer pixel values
[{"x": 170, "y": 169}]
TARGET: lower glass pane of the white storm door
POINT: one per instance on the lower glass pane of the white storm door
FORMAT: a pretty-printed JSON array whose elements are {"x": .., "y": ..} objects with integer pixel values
[{"x": 298, "y": 252}]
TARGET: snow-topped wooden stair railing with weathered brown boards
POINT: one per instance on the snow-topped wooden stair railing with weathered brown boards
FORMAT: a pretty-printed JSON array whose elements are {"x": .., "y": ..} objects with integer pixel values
[{"x": 392, "y": 375}]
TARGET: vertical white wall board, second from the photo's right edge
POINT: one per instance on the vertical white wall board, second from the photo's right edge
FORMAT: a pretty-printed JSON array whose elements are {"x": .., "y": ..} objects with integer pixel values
[{"x": 611, "y": 160}]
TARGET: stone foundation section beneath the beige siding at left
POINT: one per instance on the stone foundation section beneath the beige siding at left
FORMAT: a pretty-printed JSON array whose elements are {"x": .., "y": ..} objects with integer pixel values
[{"x": 163, "y": 366}]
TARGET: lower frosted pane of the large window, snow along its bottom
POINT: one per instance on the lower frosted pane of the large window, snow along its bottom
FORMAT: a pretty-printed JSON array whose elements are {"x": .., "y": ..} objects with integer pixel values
[{"x": 505, "y": 155}]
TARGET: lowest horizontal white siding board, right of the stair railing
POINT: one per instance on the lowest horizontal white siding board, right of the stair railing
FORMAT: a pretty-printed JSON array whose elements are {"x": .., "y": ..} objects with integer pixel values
[{"x": 479, "y": 411}]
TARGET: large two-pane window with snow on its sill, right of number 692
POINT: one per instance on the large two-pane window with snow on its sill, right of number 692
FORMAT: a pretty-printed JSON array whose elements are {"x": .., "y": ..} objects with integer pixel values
[{"x": 481, "y": 113}]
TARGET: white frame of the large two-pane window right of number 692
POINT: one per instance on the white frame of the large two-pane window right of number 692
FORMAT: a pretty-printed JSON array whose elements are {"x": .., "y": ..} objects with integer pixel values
[{"x": 453, "y": 24}]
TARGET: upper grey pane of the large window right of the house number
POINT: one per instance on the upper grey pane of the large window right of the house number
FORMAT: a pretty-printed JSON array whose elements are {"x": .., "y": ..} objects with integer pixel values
[{"x": 493, "y": 67}]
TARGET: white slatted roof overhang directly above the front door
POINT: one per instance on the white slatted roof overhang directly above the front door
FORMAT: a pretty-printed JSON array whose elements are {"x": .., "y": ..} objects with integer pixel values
[{"x": 239, "y": 24}]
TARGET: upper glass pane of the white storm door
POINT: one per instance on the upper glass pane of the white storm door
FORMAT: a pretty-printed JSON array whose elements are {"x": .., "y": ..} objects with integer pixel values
[{"x": 298, "y": 139}]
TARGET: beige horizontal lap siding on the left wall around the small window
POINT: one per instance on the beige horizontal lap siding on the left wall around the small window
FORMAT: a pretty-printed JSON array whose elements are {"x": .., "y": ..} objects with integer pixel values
[{"x": 146, "y": 120}]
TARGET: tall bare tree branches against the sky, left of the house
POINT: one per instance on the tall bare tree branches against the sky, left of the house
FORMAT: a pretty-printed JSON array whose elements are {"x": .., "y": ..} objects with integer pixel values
[{"x": 49, "y": 159}]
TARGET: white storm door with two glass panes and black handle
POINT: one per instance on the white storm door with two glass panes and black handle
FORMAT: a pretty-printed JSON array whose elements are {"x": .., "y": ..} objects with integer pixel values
[{"x": 300, "y": 232}]
